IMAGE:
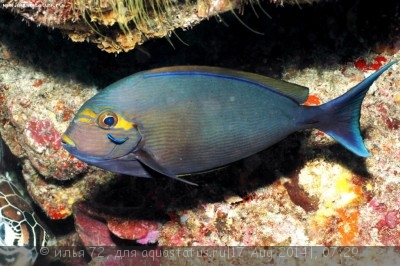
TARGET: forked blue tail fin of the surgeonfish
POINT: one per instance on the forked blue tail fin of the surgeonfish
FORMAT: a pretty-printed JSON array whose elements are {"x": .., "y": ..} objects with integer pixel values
[{"x": 341, "y": 116}]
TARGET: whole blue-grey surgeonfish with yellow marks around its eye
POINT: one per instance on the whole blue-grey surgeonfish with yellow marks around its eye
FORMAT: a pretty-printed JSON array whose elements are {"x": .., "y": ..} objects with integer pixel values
[{"x": 188, "y": 119}]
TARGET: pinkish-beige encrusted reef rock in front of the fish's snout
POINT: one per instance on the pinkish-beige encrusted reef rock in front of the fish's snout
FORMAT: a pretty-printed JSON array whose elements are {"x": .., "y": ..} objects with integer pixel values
[{"x": 32, "y": 125}]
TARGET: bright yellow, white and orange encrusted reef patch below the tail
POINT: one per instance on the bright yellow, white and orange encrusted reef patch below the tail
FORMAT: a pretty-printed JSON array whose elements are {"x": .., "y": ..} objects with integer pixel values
[{"x": 339, "y": 198}]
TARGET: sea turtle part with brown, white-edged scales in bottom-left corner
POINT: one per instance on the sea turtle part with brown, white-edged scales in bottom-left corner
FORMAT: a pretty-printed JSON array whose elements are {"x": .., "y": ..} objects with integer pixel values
[{"x": 22, "y": 234}]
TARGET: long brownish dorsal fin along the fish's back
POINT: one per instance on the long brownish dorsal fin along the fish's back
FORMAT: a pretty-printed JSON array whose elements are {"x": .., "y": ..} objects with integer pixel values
[{"x": 294, "y": 91}]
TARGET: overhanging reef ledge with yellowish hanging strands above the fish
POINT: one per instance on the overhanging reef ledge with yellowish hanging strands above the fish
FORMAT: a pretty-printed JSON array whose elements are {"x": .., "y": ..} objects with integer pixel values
[{"x": 120, "y": 25}]
